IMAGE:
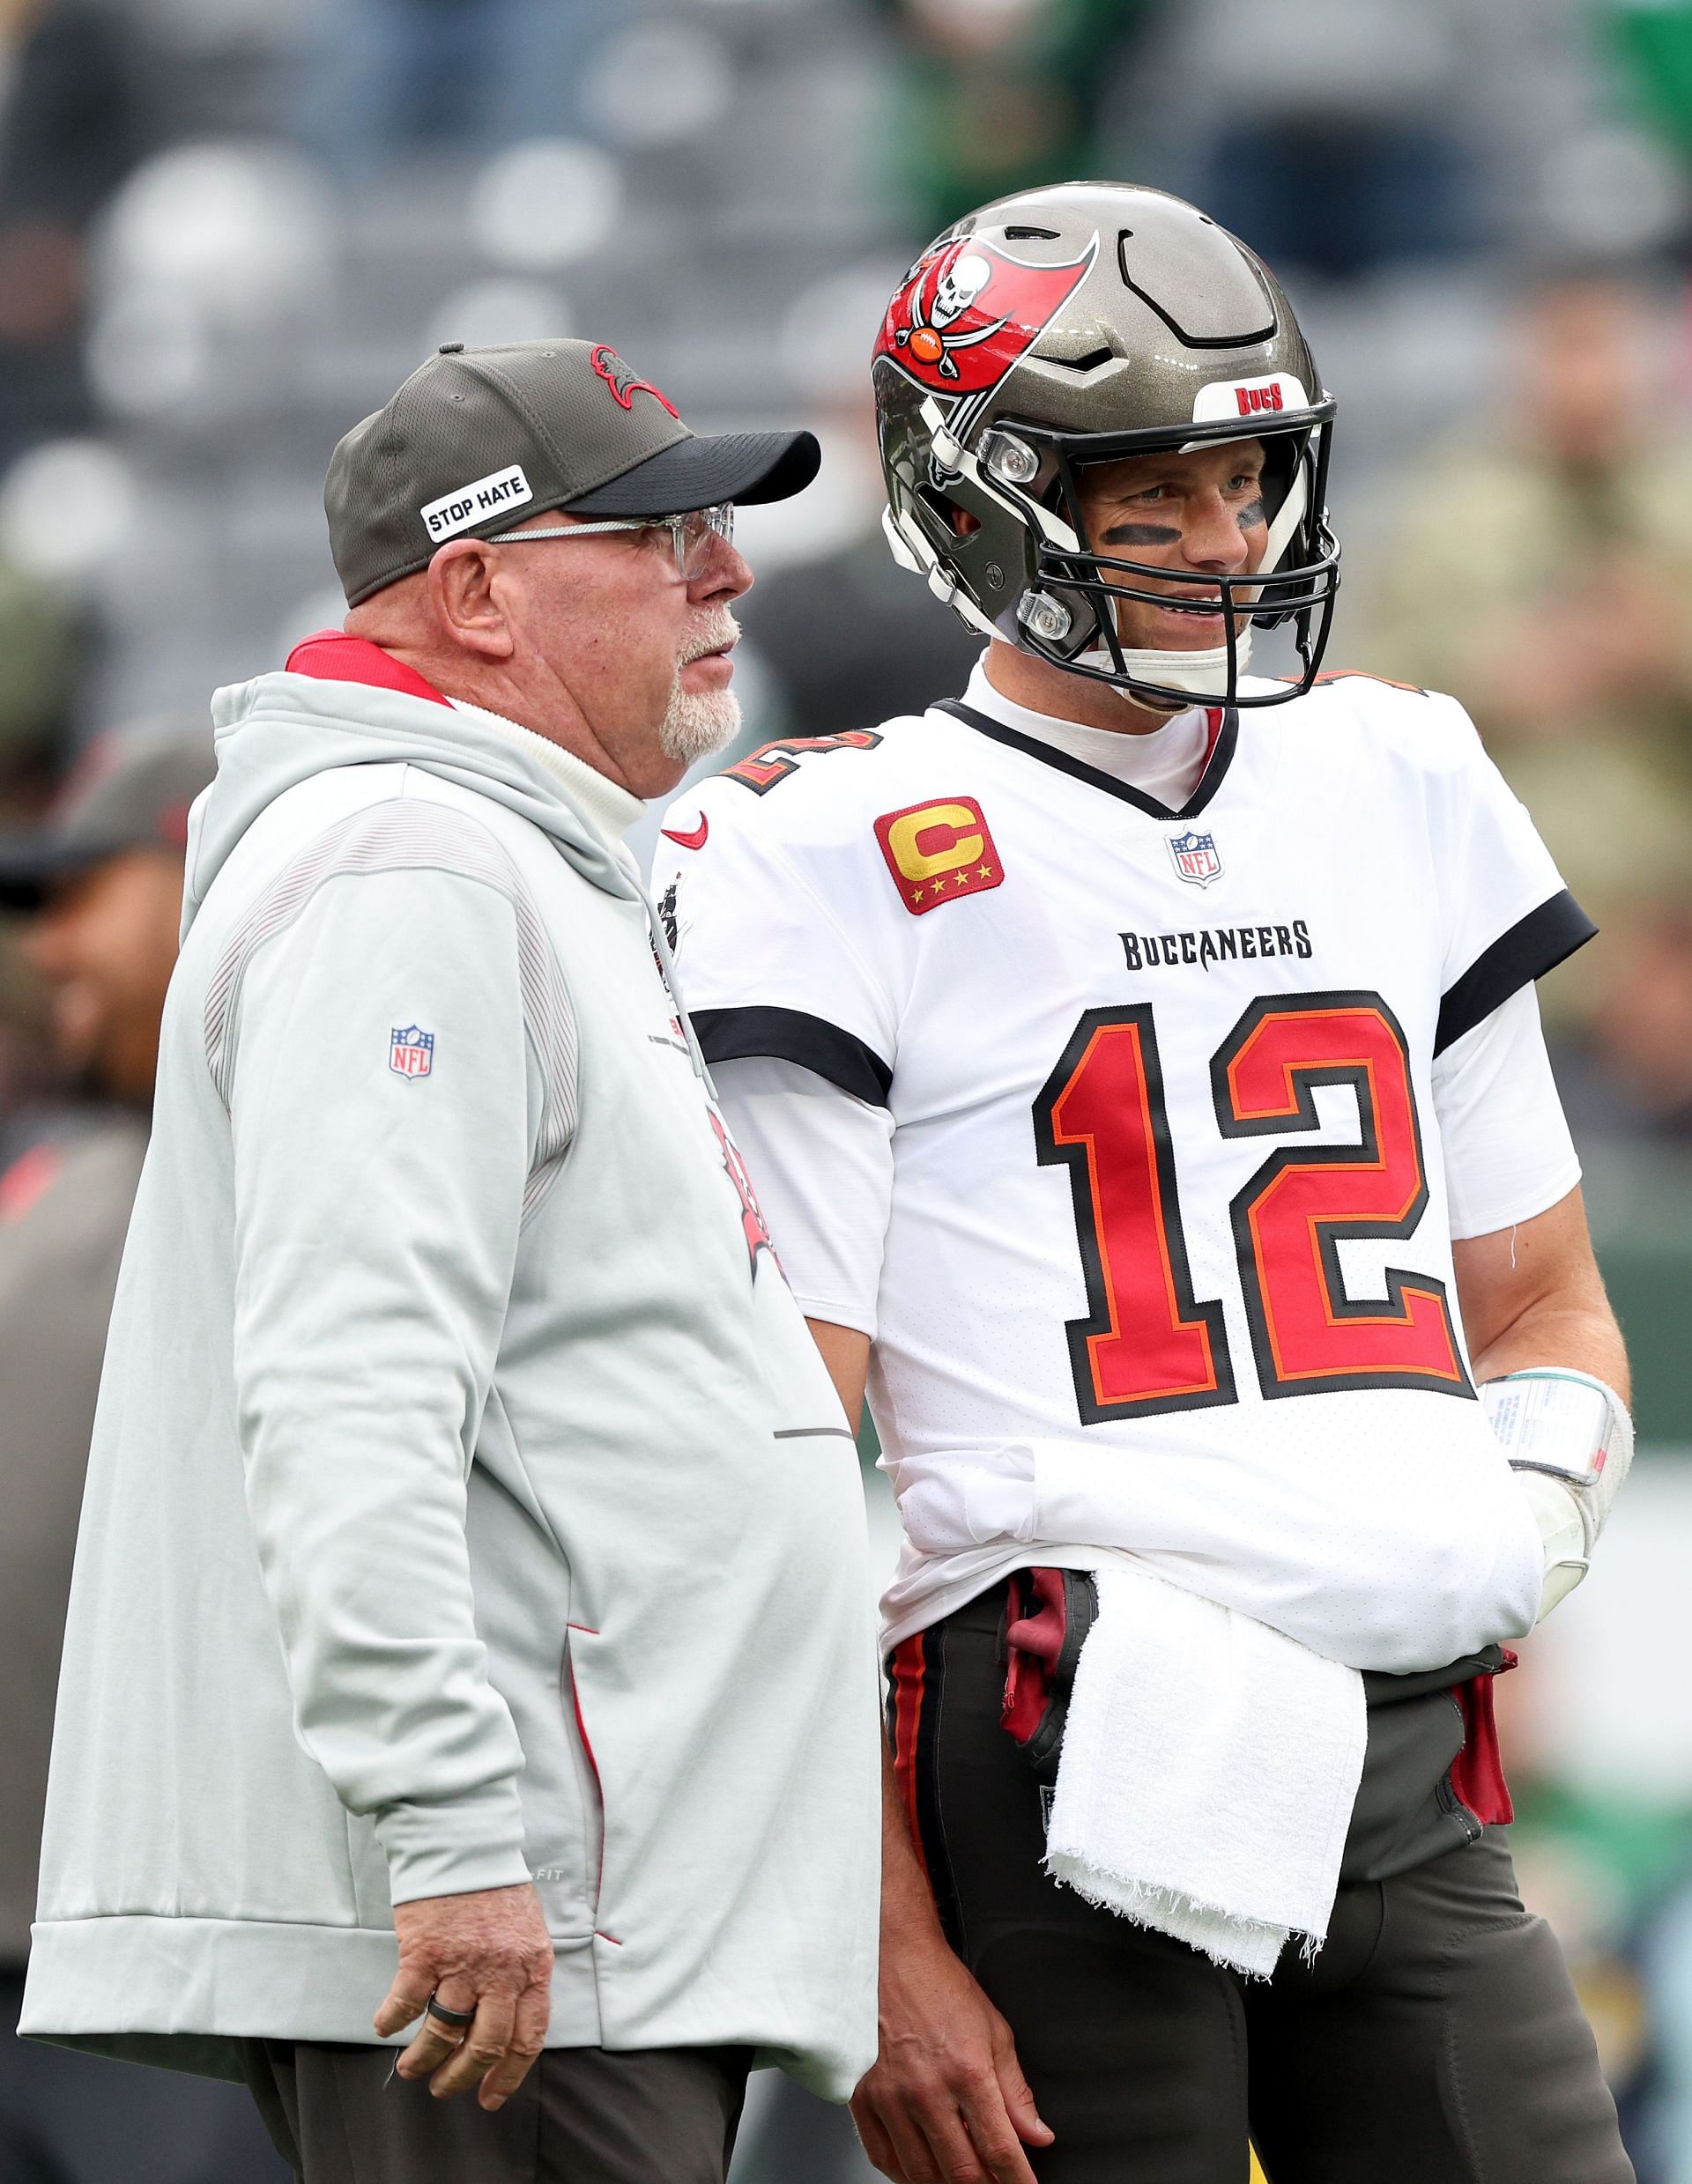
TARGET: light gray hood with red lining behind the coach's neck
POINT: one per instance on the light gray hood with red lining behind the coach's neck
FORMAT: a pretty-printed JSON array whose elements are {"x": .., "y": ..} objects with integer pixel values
[{"x": 344, "y": 702}]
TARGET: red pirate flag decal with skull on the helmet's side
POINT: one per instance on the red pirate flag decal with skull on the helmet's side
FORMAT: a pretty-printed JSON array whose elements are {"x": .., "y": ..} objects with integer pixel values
[{"x": 968, "y": 311}]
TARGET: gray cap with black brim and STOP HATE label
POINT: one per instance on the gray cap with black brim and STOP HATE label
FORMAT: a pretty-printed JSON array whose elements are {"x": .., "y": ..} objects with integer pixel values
[{"x": 479, "y": 440}]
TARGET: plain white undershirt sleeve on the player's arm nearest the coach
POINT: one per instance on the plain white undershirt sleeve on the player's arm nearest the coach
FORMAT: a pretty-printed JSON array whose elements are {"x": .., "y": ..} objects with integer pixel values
[{"x": 822, "y": 1165}]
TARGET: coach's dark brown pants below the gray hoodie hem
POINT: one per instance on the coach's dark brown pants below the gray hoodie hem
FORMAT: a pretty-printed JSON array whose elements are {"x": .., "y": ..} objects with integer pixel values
[{"x": 580, "y": 2117}]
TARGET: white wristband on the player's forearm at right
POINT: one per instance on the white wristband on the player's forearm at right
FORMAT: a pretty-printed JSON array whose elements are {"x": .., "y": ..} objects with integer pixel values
[{"x": 1571, "y": 1443}]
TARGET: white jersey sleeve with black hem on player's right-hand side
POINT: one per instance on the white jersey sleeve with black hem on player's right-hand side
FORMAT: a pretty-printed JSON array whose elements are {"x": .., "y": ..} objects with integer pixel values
[{"x": 1508, "y": 914}]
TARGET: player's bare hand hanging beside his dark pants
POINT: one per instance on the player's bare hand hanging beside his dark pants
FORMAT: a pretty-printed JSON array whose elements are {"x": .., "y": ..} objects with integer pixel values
[{"x": 946, "y": 2102}]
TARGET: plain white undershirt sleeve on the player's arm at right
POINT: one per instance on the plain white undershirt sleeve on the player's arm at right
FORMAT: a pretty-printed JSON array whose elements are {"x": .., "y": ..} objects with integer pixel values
[{"x": 1501, "y": 1124}]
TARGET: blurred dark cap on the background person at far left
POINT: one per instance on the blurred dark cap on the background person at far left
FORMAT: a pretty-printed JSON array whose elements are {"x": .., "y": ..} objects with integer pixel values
[{"x": 132, "y": 792}]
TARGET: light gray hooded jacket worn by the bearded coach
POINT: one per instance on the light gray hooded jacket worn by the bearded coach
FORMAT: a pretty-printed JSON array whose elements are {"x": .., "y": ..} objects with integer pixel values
[{"x": 468, "y": 1501}]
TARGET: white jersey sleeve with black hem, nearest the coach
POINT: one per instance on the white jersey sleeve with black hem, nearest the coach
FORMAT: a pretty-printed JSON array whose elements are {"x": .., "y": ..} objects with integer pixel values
[{"x": 770, "y": 960}]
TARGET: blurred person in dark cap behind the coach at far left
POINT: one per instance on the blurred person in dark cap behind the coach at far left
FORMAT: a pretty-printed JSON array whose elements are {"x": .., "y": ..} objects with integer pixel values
[{"x": 106, "y": 888}]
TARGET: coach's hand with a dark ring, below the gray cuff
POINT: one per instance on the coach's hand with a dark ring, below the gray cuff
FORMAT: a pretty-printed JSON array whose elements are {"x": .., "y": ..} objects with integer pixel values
[{"x": 488, "y": 1951}]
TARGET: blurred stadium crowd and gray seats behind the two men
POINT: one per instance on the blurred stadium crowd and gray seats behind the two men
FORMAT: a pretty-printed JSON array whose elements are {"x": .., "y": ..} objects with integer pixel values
[{"x": 226, "y": 230}]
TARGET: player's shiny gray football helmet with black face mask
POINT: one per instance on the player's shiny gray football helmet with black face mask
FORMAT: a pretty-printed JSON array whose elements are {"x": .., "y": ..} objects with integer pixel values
[{"x": 1082, "y": 324}]
